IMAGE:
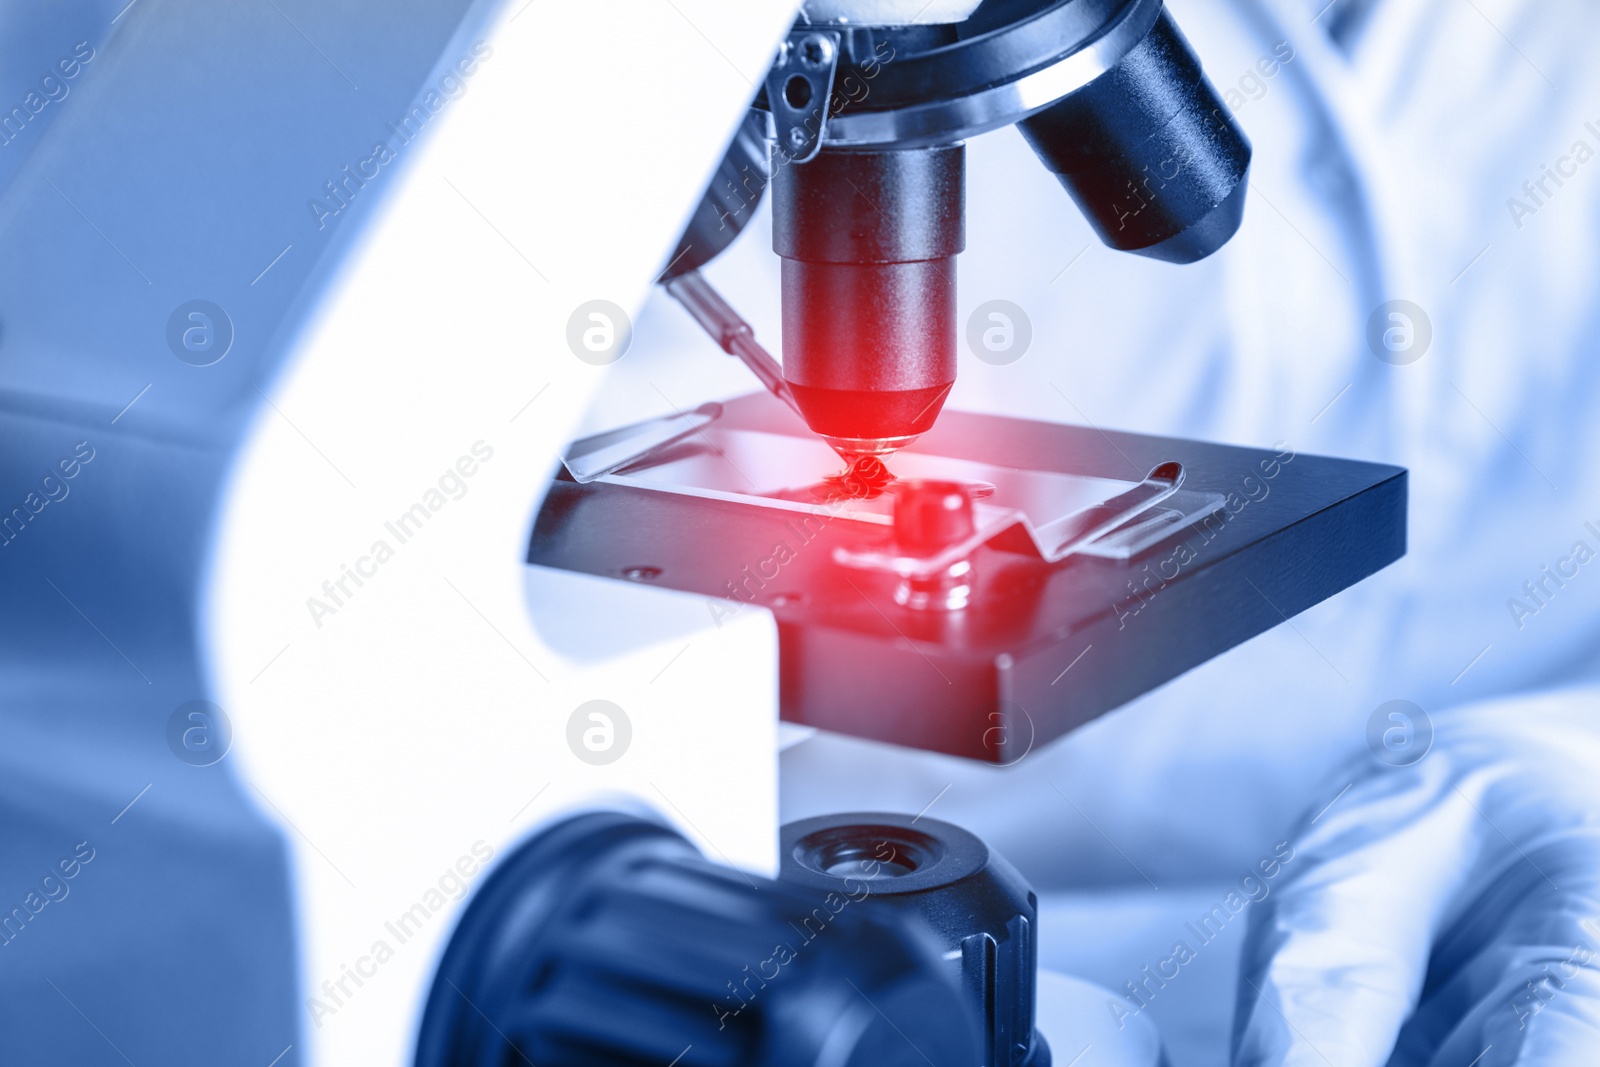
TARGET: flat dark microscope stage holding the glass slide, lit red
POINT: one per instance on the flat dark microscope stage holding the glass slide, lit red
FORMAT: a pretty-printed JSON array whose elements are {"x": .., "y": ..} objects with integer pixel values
[{"x": 732, "y": 513}]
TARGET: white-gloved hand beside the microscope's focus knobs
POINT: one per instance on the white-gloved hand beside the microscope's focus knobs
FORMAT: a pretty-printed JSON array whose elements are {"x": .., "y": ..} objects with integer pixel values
[{"x": 1444, "y": 913}]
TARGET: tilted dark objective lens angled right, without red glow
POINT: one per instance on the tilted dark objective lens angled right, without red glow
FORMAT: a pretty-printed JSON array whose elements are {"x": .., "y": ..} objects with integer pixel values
[{"x": 1150, "y": 153}]
